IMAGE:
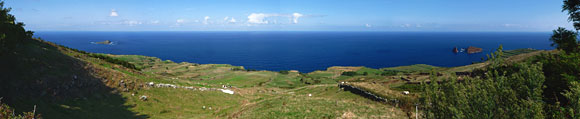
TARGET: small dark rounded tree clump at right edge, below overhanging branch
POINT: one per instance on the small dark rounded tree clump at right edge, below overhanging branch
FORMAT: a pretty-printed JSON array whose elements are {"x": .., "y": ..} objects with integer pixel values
[{"x": 565, "y": 40}]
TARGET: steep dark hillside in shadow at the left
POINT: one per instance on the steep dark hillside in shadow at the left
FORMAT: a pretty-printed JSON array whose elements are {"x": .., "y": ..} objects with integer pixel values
[{"x": 63, "y": 83}]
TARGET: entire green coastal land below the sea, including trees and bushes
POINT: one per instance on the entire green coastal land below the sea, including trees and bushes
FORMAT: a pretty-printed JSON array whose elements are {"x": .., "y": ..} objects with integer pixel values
[{"x": 68, "y": 83}]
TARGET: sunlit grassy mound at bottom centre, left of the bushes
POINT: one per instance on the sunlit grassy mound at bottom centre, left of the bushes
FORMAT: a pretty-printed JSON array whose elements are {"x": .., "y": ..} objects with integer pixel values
[{"x": 327, "y": 101}]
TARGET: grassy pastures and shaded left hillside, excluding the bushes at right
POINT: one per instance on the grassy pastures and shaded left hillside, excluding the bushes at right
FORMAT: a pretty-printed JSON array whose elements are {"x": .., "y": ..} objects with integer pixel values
[{"x": 259, "y": 94}]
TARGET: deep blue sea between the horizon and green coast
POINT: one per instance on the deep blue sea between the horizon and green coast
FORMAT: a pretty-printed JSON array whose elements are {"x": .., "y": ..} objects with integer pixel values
[{"x": 303, "y": 51}]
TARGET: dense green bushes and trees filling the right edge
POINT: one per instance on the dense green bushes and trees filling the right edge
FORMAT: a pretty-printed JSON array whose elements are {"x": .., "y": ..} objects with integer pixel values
[{"x": 544, "y": 86}]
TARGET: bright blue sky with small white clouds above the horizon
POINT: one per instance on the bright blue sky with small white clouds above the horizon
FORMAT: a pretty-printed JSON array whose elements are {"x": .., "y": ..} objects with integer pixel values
[{"x": 290, "y": 15}]
